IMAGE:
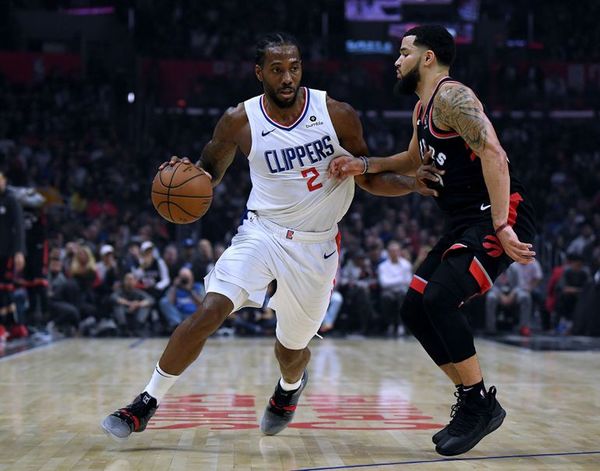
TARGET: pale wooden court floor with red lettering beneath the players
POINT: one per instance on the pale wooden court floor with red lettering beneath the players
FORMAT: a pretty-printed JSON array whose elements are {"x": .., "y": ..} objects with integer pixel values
[{"x": 370, "y": 404}]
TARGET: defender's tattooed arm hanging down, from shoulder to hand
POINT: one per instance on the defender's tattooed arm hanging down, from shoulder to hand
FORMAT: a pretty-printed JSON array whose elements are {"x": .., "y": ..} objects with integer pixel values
[{"x": 456, "y": 107}]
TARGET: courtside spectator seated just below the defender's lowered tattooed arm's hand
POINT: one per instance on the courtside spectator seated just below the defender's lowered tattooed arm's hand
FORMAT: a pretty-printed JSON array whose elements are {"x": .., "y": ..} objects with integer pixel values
[{"x": 506, "y": 294}]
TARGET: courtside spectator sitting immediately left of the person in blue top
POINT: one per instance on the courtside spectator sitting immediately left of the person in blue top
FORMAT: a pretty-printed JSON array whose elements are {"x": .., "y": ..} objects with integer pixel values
[{"x": 131, "y": 306}]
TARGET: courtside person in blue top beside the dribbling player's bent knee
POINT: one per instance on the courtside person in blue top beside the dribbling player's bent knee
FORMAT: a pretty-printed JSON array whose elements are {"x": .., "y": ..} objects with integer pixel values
[{"x": 182, "y": 298}]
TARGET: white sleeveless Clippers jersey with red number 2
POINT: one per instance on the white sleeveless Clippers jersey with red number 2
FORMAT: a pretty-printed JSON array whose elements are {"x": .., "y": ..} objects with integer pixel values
[{"x": 288, "y": 167}]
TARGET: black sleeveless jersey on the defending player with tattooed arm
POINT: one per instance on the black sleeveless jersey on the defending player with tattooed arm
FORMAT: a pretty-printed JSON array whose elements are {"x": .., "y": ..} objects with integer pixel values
[{"x": 463, "y": 195}]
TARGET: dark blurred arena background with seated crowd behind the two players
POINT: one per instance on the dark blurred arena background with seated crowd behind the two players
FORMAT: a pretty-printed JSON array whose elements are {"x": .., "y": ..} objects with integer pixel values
[{"x": 94, "y": 97}]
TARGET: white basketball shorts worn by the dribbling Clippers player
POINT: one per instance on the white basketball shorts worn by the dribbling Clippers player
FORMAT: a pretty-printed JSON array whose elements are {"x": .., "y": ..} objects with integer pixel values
[{"x": 303, "y": 263}]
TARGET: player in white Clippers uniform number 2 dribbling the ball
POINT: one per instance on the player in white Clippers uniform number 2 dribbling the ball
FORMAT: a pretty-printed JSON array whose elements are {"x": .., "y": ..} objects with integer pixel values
[{"x": 289, "y": 135}]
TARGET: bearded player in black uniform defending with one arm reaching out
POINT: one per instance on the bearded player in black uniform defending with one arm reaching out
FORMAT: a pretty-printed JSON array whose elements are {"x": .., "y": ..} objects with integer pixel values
[{"x": 490, "y": 223}]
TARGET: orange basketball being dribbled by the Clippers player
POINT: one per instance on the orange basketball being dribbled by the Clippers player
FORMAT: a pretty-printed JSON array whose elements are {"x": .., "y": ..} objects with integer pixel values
[{"x": 181, "y": 193}]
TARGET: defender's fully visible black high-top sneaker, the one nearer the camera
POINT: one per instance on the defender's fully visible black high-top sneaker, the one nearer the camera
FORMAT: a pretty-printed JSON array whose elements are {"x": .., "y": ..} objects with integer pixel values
[{"x": 475, "y": 418}]
